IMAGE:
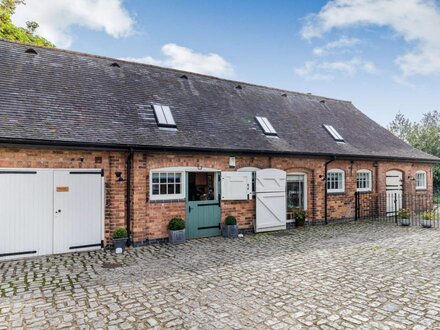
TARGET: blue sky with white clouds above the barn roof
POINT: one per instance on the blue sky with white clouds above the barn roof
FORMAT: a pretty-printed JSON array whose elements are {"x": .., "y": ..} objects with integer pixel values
[{"x": 383, "y": 55}]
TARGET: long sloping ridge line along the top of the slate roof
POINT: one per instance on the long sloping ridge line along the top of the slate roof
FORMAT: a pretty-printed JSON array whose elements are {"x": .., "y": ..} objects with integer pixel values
[{"x": 73, "y": 52}]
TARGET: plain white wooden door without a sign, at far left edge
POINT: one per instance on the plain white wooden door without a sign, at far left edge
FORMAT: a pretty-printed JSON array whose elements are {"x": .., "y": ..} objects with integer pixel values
[{"x": 25, "y": 213}]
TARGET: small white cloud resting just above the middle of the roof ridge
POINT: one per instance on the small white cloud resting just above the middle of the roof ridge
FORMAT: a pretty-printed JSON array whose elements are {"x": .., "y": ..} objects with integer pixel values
[{"x": 182, "y": 58}]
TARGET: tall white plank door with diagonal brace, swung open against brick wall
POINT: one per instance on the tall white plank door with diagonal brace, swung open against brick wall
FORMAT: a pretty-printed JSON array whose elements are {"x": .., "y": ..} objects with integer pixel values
[{"x": 271, "y": 200}]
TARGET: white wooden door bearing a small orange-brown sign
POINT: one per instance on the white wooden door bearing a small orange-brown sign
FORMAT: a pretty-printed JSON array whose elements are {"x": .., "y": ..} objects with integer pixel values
[{"x": 78, "y": 210}]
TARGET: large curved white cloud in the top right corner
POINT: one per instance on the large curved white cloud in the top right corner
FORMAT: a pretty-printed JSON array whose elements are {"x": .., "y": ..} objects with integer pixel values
[{"x": 416, "y": 21}]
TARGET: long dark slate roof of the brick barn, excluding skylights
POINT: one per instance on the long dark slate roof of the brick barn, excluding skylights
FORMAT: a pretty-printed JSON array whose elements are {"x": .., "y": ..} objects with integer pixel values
[{"x": 65, "y": 97}]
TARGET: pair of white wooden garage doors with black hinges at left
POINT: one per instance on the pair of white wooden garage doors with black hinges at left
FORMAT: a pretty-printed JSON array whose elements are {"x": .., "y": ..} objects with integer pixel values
[{"x": 47, "y": 211}]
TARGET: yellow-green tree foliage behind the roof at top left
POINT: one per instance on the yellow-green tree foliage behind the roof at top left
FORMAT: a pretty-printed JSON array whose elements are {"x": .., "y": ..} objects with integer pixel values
[{"x": 11, "y": 32}]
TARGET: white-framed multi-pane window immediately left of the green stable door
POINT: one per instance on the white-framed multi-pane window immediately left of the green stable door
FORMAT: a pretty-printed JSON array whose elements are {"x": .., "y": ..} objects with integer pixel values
[{"x": 166, "y": 185}]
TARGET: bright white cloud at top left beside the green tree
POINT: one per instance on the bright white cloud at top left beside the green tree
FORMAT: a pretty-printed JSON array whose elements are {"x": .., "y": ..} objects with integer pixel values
[{"x": 56, "y": 17}]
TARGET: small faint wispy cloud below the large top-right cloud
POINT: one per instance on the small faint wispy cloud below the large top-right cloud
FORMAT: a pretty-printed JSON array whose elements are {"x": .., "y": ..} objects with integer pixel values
[{"x": 313, "y": 70}]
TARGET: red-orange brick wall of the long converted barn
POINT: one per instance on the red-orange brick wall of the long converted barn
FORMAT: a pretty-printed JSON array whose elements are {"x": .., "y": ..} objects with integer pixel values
[{"x": 150, "y": 218}]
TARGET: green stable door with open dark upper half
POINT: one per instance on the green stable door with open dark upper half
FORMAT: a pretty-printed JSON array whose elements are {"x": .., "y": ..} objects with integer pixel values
[{"x": 203, "y": 211}]
